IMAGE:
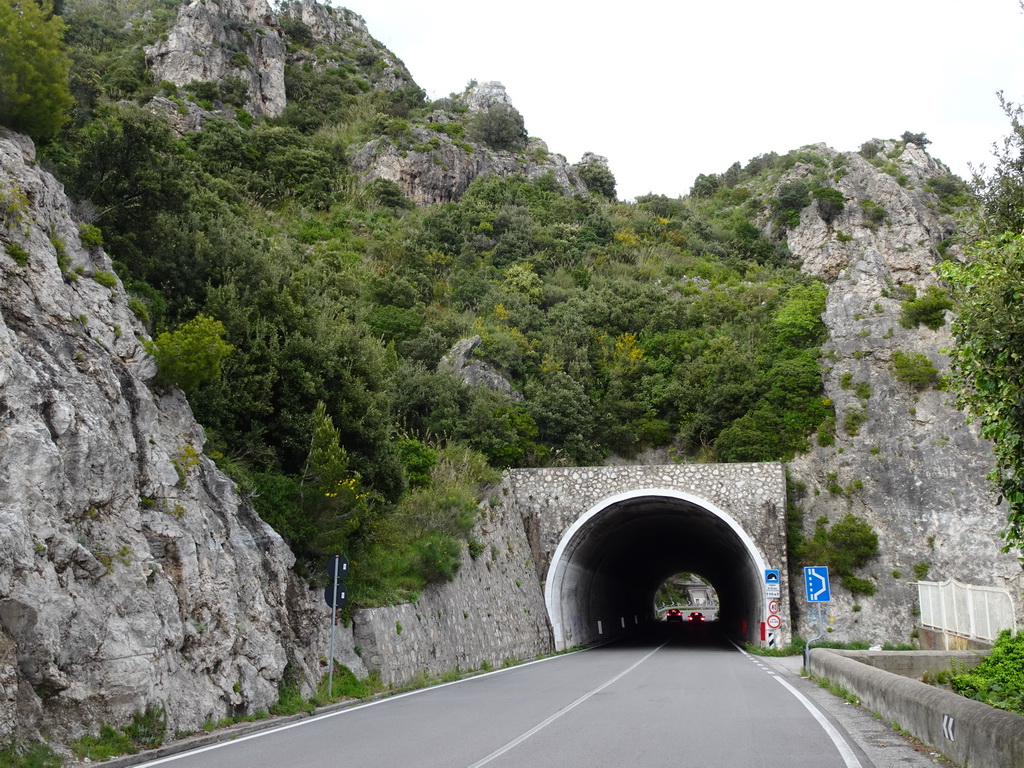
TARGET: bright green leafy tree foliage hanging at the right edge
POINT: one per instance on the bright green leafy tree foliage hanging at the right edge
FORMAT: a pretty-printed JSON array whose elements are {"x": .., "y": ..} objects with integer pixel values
[{"x": 989, "y": 366}]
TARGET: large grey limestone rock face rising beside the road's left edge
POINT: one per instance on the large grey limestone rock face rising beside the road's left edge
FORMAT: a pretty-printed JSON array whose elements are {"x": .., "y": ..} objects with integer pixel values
[{"x": 132, "y": 574}]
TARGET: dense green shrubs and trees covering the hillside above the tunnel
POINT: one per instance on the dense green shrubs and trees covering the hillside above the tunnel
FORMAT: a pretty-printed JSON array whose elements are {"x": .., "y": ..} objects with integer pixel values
[{"x": 306, "y": 314}]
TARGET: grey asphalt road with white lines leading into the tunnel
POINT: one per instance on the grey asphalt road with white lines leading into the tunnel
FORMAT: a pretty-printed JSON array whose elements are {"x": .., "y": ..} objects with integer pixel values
[{"x": 681, "y": 697}]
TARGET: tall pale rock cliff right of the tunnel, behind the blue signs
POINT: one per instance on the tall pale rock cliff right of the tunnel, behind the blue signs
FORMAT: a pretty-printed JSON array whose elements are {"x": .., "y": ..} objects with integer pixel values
[{"x": 915, "y": 470}]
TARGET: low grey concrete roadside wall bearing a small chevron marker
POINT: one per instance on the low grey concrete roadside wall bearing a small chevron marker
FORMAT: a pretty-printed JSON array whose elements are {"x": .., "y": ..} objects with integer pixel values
[{"x": 968, "y": 733}]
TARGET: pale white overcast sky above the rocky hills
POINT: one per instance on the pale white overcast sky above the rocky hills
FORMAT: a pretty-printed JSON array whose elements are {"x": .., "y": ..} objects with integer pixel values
[{"x": 668, "y": 90}]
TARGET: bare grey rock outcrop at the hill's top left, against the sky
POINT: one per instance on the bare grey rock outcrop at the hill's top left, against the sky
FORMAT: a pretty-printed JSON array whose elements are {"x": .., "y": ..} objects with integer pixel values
[{"x": 229, "y": 38}]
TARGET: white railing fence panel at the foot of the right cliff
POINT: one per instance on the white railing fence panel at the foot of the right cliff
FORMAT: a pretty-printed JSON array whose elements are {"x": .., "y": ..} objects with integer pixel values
[{"x": 966, "y": 610}]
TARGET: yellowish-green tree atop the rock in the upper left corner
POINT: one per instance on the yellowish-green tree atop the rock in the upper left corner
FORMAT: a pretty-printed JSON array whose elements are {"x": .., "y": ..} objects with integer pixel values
[{"x": 35, "y": 97}]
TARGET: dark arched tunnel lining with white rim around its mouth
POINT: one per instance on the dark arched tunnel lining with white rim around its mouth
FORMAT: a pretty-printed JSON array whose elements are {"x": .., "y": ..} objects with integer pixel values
[{"x": 610, "y": 565}]
